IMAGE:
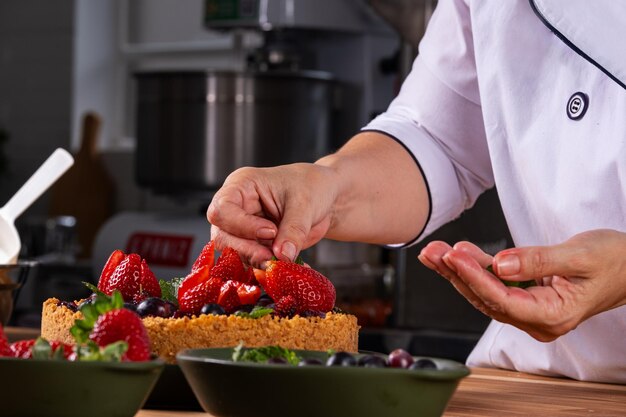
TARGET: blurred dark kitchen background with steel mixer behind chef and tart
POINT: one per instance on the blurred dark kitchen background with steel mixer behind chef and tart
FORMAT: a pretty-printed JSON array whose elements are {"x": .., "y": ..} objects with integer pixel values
[{"x": 160, "y": 99}]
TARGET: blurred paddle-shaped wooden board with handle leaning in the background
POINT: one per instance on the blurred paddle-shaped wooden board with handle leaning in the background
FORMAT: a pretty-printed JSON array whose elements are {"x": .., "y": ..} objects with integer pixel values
[{"x": 86, "y": 191}]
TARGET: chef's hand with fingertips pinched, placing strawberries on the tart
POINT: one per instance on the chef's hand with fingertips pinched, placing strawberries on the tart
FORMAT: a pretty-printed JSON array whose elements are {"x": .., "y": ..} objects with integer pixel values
[{"x": 265, "y": 212}]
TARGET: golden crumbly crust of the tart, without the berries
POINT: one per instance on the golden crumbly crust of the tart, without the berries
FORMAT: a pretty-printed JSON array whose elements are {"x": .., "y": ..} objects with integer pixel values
[{"x": 169, "y": 336}]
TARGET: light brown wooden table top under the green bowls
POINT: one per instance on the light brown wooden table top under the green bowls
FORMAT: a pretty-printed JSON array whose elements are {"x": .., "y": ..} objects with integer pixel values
[{"x": 500, "y": 393}]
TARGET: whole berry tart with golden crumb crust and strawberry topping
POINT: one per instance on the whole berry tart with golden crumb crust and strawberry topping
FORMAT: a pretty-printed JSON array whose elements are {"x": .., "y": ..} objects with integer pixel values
[{"x": 219, "y": 304}]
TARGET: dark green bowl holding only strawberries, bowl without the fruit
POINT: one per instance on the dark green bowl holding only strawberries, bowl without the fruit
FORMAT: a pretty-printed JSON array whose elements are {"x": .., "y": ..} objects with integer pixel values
[{"x": 30, "y": 387}]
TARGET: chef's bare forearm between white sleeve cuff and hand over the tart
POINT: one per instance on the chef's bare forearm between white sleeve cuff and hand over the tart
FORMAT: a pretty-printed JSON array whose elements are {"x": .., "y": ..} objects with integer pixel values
[{"x": 381, "y": 194}]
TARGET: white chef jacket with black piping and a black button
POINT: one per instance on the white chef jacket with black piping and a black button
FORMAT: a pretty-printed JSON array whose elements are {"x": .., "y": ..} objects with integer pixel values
[{"x": 492, "y": 100}]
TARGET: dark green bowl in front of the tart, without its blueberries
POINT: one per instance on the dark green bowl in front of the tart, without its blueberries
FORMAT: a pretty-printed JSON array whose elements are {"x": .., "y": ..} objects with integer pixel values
[{"x": 240, "y": 389}]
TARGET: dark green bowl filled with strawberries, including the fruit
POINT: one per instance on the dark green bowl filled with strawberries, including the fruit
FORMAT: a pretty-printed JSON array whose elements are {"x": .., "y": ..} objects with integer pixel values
[{"x": 108, "y": 371}]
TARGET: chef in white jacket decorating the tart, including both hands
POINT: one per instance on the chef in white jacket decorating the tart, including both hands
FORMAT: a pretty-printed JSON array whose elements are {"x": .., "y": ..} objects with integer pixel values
[{"x": 529, "y": 96}]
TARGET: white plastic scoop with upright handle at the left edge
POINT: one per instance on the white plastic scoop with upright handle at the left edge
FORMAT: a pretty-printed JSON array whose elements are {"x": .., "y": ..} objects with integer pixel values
[{"x": 40, "y": 181}]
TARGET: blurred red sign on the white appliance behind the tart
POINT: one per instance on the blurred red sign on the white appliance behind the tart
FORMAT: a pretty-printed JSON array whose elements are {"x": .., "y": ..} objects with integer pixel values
[{"x": 160, "y": 249}]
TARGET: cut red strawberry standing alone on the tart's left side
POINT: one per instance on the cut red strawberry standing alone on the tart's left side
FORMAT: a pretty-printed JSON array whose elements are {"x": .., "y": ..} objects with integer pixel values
[{"x": 130, "y": 275}]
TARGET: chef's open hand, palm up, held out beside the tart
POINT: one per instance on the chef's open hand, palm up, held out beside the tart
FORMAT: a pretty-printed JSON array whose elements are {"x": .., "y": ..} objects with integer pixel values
[{"x": 578, "y": 278}]
